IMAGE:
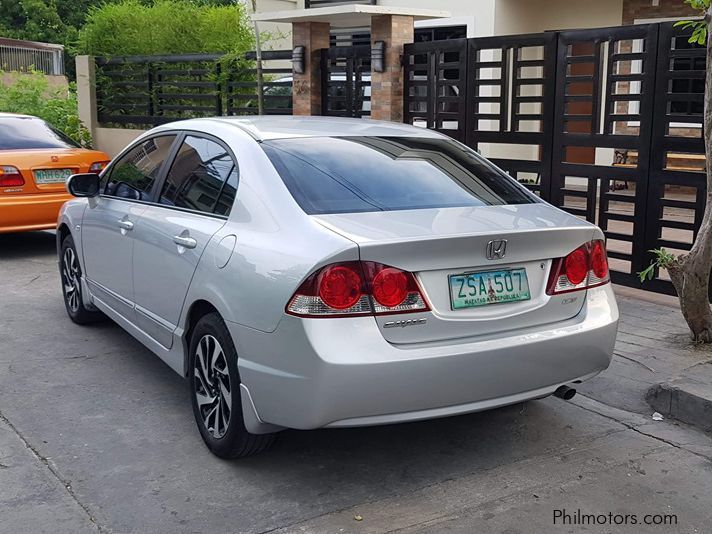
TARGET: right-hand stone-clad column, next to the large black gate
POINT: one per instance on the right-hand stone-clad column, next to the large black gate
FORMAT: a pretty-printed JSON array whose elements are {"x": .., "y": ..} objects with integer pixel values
[{"x": 387, "y": 86}]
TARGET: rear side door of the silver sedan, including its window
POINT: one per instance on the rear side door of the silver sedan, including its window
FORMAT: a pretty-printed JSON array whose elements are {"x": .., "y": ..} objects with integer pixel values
[{"x": 194, "y": 201}]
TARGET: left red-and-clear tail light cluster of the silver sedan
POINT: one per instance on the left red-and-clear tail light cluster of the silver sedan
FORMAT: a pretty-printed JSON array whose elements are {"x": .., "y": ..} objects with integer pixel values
[{"x": 357, "y": 288}]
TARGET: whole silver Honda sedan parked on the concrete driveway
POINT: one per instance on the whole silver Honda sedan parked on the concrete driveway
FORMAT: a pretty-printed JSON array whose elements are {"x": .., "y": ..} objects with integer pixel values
[{"x": 317, "y": 272}]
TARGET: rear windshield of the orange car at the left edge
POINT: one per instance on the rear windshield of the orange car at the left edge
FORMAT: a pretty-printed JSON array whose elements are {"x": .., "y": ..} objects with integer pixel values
[{"x": 18, "y": 133}]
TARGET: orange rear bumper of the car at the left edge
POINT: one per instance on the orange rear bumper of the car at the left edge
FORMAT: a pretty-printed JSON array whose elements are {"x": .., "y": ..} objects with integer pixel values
[{"x": 21, "y": 213}]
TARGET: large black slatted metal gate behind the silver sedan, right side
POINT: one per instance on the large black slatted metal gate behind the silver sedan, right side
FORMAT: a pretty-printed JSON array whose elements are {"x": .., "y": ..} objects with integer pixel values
[{"x": 605, "y": 123}]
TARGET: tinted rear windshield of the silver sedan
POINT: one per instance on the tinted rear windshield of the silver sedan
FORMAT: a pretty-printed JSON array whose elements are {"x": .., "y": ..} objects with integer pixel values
[{"x": 355, "y": 174}]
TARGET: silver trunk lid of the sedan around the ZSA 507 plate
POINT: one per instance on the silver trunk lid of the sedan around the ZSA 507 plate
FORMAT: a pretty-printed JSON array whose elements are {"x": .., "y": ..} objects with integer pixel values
[{"x": 438, "y": 243}]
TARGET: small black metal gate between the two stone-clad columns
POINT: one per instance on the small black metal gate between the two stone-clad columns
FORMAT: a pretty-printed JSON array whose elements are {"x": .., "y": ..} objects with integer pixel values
[{"x": 346, "y": 81}]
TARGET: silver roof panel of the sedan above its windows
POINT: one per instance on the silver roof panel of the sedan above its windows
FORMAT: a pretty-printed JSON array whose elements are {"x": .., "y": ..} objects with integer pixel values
[{"x": 268, "y": 127}]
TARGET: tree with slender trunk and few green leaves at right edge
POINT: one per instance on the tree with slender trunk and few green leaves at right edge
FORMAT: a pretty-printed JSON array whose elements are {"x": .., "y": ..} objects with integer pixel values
[{"x": 690, "y": 273}]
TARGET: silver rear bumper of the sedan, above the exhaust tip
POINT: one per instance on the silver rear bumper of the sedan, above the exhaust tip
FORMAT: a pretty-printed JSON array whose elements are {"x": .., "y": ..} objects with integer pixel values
[{"x": 312, "y": 373}]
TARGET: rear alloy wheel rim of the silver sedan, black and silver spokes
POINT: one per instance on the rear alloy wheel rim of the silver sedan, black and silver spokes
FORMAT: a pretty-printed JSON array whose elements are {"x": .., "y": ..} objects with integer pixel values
[{"x": 212, "y": 387}]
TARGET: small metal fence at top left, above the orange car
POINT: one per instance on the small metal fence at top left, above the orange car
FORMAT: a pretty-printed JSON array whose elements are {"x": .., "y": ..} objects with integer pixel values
[{"x": 23, "y": 56}]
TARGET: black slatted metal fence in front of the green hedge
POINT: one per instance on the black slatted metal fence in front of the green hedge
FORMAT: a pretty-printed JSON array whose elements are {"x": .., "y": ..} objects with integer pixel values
[{"x": 151, "y": 90}]
